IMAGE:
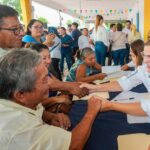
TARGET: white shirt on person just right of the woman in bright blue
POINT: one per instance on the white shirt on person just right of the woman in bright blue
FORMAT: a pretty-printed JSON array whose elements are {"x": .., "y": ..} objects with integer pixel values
[{"x": 55, "y": 53}]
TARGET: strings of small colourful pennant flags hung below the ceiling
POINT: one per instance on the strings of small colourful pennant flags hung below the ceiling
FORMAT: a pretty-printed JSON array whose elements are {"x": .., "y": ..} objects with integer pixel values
[{"x": 84, "y": 13}]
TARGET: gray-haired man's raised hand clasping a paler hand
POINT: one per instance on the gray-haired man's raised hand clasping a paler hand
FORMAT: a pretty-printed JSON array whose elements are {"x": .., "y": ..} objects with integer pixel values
[{"x": 94, "y": 105}]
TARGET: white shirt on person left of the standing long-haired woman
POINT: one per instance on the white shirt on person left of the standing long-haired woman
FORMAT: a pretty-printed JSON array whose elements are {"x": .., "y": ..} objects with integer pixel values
[{"x": 83, "y": 42}]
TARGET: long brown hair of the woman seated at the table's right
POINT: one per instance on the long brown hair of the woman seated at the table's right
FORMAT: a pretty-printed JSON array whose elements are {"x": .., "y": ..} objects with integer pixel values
[{"x": 137, "y": 48}]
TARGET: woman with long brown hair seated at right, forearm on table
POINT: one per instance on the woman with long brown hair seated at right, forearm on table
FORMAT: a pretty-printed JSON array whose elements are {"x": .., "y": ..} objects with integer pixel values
[{"x": 136, "y": 50}]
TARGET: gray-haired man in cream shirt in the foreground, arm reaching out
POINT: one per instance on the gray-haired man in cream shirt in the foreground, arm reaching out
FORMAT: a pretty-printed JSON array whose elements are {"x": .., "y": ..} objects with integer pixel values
[{"x": 23, "y": 86}]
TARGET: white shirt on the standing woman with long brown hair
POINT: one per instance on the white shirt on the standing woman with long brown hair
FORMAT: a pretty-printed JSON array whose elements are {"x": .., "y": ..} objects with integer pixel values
[{"x": 100, "y": 35}]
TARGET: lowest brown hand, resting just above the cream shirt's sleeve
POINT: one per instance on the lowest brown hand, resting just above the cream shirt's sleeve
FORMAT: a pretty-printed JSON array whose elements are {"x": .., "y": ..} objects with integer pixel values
[{"x": 61, "y": 120}]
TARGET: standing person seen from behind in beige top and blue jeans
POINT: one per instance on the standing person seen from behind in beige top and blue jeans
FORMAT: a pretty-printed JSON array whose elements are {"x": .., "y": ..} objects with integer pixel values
[{"x": 118, "y": 40}]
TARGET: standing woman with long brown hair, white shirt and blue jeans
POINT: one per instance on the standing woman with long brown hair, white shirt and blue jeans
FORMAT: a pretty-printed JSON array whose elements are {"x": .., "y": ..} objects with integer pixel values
[{"x": 99, "y": 37}]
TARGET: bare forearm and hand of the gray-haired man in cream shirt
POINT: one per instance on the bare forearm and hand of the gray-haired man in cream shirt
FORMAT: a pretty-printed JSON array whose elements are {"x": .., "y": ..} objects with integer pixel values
[{"x": 81, "y": 132}]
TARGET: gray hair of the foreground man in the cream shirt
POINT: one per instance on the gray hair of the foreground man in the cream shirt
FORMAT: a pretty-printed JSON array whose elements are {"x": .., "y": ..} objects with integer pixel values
[{"x": 17, "y": 71}]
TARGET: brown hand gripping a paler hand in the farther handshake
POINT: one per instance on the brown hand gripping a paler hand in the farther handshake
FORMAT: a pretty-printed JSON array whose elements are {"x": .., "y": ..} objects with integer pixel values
[{"x": 75, "y": 89}]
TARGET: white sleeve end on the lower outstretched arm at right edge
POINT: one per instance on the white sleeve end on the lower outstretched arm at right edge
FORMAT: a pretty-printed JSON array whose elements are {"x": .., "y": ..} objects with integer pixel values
[{"x": 145, "y": 104}]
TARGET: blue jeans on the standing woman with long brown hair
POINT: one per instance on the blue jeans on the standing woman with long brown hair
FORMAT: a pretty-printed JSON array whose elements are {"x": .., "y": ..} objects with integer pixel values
[{"x": 100, "y": 52}]
